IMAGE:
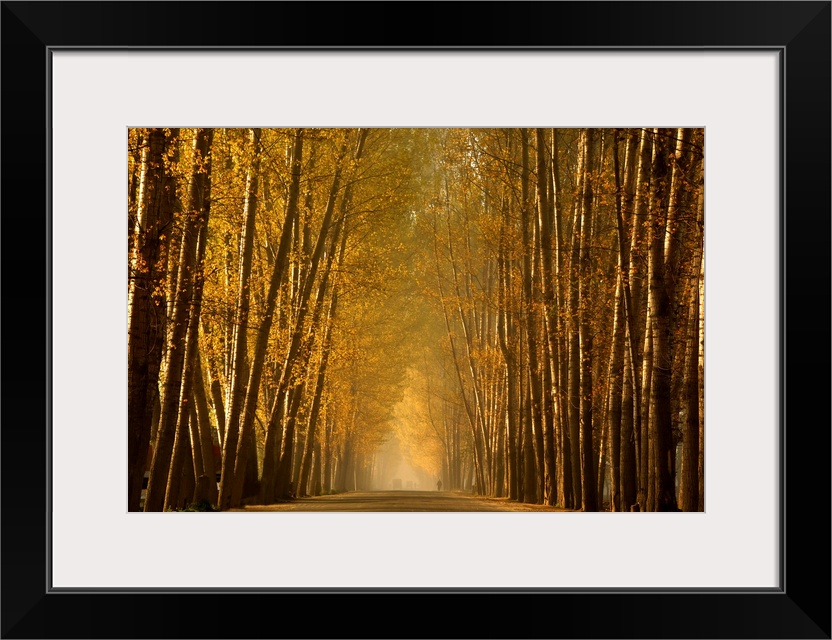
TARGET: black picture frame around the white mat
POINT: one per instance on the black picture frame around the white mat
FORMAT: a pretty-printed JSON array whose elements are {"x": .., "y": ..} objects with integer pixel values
[{"x": 800, "y": 608}]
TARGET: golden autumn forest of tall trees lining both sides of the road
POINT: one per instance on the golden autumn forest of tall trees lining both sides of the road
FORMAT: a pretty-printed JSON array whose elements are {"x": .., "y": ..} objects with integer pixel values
[{"x": 518, "y": 313}]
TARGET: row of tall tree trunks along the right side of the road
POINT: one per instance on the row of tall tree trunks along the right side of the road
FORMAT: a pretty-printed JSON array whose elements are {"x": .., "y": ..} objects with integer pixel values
[{"x": 596, "y": 314}]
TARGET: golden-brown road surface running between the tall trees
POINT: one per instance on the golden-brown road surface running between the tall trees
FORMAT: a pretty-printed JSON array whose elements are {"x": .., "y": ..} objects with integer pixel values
[{"x": 400, "y": 501}]
